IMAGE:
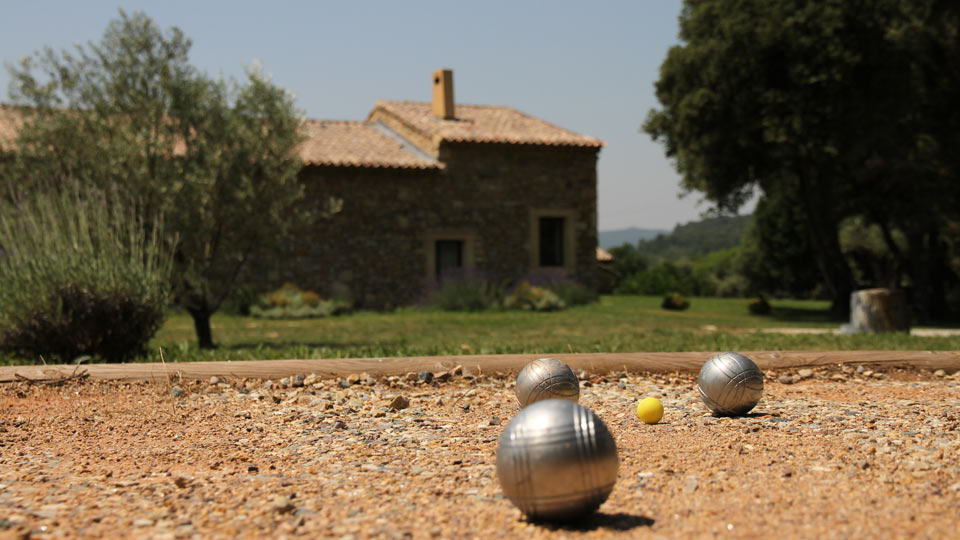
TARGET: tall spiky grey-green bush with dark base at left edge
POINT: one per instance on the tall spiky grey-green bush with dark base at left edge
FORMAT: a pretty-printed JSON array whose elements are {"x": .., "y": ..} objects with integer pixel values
[{"x": 81, "y": 274}]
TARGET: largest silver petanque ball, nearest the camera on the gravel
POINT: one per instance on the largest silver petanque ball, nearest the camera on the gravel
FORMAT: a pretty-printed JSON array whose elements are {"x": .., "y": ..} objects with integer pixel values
[{"x": 556, "y": 460}]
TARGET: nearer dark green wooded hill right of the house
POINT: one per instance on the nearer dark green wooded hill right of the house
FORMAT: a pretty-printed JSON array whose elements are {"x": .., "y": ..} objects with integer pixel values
[{"x": 697, "y": 238}]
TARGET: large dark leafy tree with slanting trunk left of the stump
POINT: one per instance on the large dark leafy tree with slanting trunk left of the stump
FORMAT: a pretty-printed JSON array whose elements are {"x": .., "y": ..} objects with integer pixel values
[{"x": 797, "y": 97}]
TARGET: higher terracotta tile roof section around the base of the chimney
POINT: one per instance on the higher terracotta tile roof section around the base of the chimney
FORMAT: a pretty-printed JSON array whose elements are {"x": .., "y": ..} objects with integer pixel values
[{"x": 483, "y": 123}]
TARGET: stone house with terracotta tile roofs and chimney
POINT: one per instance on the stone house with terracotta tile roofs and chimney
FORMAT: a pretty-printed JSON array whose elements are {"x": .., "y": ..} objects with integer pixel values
[{"x": 428, "y": 188}]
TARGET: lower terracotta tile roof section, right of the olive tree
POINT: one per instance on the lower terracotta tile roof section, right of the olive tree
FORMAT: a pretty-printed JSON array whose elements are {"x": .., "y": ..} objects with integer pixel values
[{"x": 359, "y": 144}]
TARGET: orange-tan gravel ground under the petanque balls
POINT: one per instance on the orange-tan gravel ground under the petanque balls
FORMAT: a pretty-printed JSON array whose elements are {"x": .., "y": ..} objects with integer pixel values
[{"x": 834, "y": 452}]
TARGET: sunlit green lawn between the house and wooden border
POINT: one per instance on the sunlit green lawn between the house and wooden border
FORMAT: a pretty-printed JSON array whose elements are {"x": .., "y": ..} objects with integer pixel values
[{"x": 615, "y": 324}]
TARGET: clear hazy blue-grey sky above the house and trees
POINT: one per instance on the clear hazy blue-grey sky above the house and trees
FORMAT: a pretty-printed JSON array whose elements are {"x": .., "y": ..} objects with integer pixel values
[{"x": 589, "y": 67}]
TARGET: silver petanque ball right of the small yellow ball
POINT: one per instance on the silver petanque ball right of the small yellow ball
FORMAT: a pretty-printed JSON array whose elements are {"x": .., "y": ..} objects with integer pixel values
[{"x": 730, "y": 384}]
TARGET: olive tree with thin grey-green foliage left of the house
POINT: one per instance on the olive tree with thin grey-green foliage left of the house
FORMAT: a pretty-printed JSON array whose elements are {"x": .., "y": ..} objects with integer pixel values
[{"x": 218, "y": 160}]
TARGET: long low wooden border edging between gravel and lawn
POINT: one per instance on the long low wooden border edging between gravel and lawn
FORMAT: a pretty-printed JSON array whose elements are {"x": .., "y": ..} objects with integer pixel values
[{"x": 592, "y": 362}]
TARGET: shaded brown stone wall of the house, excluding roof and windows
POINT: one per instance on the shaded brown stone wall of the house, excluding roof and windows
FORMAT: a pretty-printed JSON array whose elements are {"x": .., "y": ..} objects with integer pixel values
[{"x": 377, "y": 246}]
